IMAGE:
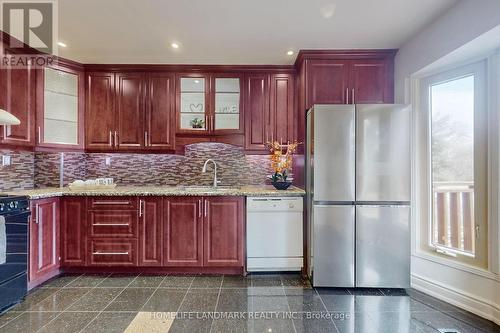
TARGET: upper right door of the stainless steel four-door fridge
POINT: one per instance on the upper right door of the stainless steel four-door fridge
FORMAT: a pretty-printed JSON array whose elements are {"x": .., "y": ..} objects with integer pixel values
[{"x": 382, "y": 152}]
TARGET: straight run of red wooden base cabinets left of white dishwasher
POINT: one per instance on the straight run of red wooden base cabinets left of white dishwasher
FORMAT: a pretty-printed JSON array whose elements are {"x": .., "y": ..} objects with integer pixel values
[{"x": 152, "y": 232}]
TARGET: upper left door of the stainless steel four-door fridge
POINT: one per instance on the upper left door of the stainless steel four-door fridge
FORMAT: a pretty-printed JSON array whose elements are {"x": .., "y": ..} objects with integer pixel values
[{"x": 333, "y": 153}]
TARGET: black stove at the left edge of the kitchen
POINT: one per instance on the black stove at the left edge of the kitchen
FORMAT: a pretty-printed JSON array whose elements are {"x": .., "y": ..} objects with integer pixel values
[{"x": 14, "y": 229}]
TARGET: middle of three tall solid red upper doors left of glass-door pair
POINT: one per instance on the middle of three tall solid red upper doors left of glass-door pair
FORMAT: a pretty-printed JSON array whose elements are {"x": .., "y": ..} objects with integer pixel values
[{"x": 130, "y": 110}]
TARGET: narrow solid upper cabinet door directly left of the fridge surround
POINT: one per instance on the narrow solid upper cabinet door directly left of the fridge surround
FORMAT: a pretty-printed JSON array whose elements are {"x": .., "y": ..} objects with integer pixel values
[{"x": 282, "y": 107}]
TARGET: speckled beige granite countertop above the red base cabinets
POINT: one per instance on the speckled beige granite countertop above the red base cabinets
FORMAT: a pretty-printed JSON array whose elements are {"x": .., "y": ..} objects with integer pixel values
[{"x": 249, "y": 191}]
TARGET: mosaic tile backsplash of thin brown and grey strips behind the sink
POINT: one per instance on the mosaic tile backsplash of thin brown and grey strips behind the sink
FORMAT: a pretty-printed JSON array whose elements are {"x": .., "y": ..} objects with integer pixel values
[{"x": 42, "y": 169}]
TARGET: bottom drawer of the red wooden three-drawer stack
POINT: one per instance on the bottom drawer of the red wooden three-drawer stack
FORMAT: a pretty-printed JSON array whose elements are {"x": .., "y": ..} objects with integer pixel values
[{"x": 111, "y": 252}]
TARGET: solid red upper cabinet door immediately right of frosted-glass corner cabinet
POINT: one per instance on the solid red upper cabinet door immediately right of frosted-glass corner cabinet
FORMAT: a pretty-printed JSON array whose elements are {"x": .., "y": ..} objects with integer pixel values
[{"x": 100, "y": 114}]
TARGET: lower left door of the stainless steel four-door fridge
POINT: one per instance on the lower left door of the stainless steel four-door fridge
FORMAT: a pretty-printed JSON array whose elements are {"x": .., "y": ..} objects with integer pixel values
[{"x": 333, "y": 246}]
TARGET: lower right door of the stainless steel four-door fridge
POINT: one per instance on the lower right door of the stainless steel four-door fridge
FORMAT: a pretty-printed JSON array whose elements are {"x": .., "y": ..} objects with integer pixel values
[{"x": 383, "y": 246}]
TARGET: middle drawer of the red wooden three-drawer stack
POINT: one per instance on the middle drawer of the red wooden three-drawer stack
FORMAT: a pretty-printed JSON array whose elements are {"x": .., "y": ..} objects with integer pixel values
[{"x": 113, "y": 223}]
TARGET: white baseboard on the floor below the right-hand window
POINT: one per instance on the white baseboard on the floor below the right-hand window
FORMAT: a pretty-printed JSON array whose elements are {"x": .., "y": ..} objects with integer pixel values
[{"x": 457, "y": 297}]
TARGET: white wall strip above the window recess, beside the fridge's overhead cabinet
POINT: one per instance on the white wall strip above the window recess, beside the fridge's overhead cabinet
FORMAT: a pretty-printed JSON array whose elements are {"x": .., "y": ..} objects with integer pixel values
[{"x": 461, "y": 24}]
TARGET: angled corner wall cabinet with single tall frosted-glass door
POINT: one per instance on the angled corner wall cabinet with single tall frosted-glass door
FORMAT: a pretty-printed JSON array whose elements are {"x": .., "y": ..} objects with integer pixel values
[{"x": 60, "y": 107}]
